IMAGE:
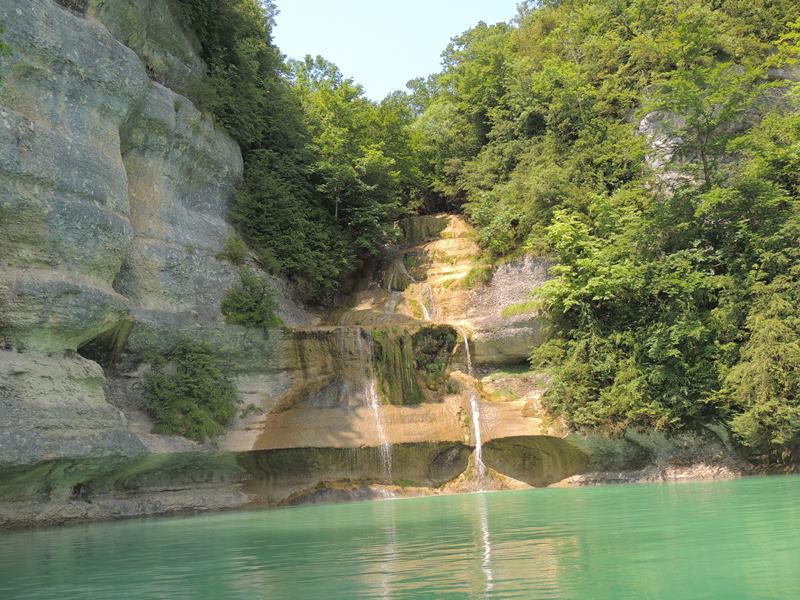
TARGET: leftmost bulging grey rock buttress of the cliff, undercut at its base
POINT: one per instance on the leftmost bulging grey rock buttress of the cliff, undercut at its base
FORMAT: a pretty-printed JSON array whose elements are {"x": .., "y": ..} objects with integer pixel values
[{"x": 69, "y": 88}]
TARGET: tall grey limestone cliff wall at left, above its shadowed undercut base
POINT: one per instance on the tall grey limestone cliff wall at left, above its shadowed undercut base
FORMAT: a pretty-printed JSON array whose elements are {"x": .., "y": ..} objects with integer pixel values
[{"x": 114, "y": 192}]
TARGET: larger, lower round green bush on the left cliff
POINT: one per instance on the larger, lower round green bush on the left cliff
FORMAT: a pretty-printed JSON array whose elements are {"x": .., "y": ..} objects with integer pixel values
[{"x": 187, "y": 393}]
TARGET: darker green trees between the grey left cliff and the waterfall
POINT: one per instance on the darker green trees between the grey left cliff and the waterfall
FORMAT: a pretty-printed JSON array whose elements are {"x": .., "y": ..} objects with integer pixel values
[{"x": 326, "y": 170}]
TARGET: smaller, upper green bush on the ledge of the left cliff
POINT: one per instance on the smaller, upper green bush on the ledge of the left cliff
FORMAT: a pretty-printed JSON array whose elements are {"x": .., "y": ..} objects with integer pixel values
[{"x": 251, "y": 303}]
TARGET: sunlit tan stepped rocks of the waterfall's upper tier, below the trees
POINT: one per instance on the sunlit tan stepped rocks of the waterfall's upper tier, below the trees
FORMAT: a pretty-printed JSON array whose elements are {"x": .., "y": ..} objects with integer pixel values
[{"x": 427, "y": 279}]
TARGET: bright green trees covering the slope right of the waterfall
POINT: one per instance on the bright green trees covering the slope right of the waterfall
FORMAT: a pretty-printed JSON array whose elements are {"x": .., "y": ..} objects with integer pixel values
[{"x": 673, "y": 300}]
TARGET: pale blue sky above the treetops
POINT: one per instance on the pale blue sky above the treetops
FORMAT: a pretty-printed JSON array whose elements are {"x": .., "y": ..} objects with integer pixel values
[{"x": 381, "y": 43}]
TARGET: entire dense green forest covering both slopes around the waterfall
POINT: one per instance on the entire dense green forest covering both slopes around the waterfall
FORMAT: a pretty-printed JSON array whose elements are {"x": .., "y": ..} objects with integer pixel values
[{"x": 651, "y": 148}]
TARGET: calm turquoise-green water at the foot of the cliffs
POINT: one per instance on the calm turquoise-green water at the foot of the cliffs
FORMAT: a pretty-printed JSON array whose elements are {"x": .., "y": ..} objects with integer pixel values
[{"x": 735, "y": 539}]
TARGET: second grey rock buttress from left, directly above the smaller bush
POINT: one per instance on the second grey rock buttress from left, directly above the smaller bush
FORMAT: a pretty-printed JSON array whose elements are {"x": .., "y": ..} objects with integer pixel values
[{"x": 181, "y": 176}]
